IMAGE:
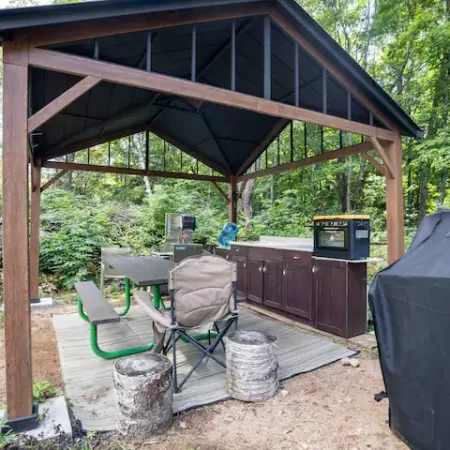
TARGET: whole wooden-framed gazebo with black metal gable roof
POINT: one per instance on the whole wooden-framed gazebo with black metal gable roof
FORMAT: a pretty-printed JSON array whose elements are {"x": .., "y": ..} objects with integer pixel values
[{"x": 218, "y": 79}]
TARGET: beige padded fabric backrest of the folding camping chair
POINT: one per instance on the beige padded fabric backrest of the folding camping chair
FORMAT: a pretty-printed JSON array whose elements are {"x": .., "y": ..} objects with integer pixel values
[{"x": 202, "y": 289}]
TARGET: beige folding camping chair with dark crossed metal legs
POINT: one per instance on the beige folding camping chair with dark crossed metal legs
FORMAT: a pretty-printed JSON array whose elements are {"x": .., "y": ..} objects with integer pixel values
[{"x": 202, "y": 294}]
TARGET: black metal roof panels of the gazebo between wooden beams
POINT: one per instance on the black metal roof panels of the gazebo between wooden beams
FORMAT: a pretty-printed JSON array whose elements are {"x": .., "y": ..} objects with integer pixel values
[{"x": 221, "y": 135}]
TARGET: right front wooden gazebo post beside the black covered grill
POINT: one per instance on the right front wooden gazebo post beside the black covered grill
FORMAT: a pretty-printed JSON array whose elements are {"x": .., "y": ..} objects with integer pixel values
[{"x": 394, "y": 203}]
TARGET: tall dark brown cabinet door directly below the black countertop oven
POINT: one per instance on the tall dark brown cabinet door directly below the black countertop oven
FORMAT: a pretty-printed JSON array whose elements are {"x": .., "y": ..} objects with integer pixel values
[{"x": 330, "y": 286}]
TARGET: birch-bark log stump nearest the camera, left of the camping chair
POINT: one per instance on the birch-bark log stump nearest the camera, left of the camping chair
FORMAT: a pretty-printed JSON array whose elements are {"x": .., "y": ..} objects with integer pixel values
[{"x": 144, "y": 392}]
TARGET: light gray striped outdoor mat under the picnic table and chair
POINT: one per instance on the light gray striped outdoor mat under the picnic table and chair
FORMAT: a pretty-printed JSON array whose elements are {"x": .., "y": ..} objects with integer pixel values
[{"x": 88, "y": 379}]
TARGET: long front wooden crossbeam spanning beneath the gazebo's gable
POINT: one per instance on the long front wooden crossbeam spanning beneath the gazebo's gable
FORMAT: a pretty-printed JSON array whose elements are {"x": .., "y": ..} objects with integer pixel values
[{"x": 76, "y": 65}]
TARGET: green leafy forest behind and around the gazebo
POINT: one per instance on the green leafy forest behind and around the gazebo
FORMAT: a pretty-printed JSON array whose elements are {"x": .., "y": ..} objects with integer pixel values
[{"x": 403, "y": 44}]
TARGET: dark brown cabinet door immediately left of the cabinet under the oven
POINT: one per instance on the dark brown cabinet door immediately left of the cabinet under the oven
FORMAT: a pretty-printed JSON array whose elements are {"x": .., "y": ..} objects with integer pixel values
[{"x": 298, "y": 283}]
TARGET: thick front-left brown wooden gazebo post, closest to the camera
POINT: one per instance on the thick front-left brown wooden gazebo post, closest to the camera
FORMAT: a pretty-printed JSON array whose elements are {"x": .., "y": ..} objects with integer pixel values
[{"x": 15, "y": 230}]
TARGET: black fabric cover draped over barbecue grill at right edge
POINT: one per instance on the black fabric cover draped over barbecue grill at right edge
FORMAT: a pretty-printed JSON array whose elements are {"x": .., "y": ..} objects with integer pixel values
[{"x": 410, "y": 302}]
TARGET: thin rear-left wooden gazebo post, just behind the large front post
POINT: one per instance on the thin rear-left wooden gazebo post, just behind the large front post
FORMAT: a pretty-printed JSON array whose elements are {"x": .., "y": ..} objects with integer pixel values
[{"x": 34, "y": 226}]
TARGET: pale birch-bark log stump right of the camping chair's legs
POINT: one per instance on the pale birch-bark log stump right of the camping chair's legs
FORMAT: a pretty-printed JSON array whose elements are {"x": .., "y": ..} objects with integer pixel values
[{"x": 252, "y": 365}]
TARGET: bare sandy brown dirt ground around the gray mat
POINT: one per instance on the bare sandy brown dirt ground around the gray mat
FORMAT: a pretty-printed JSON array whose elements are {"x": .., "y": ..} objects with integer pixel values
[{"x": 329, "y": 409}]
